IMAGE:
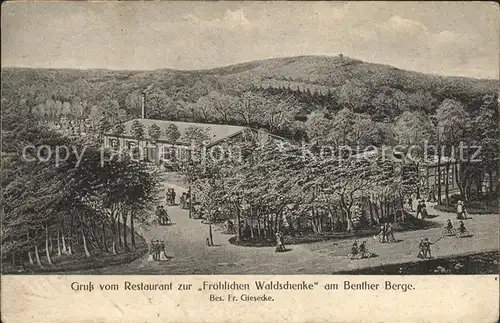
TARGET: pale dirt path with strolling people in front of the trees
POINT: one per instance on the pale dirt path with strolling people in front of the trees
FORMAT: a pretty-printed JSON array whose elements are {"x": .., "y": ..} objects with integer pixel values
[{"x": 185, "y": 243}]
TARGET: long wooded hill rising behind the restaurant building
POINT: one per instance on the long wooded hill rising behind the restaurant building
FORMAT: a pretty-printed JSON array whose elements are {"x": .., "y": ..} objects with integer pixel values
[{"x": 314, "y": 83}]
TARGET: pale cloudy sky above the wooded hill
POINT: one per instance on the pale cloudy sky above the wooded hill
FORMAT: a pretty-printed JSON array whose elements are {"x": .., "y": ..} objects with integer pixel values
[{"x": 459, "y": 39}]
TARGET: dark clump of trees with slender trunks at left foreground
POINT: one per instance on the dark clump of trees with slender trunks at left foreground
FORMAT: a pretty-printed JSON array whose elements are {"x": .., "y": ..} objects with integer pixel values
[{"x": 65, "y": 190}]
